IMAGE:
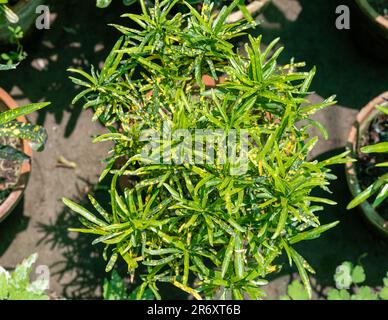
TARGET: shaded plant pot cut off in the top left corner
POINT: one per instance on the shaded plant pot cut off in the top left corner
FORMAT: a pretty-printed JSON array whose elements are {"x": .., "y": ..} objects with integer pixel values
[{"x": 25, "y": 9}]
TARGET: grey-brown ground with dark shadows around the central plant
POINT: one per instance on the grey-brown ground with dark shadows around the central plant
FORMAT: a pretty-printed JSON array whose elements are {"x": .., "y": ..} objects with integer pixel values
[{"x": 79, "y": 36}]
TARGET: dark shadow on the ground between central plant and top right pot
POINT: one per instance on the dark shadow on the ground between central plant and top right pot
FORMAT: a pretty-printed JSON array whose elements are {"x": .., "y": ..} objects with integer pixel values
[{"x": 309, "y": 34}]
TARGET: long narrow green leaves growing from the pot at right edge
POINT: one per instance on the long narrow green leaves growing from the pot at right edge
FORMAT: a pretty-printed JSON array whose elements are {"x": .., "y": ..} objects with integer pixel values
[{"x": 380, "y": 186}]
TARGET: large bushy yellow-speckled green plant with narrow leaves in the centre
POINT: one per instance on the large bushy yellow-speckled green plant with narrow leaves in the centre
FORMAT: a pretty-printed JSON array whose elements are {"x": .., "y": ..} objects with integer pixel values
[{"x": 213, "y": 216}]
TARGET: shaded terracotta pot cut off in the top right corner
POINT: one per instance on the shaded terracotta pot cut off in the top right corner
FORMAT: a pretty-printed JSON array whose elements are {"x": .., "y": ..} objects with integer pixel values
[{"x": 370, "y": 30}]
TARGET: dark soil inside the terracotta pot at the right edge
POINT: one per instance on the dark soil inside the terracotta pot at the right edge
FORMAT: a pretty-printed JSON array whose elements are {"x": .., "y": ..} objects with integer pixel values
[{"x": 368, "y": 173}]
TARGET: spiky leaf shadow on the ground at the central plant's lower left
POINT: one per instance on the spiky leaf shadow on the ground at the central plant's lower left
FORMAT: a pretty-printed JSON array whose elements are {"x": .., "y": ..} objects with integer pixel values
[{"x": 81, "y": 271}]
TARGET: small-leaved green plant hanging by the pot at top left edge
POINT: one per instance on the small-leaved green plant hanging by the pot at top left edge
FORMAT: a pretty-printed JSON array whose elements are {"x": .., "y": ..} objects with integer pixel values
[{"x": 16, "y": 55}]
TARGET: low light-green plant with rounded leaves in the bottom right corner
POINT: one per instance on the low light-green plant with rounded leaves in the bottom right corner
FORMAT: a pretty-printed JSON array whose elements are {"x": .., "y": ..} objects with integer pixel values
[{"x": 348, "y": 279}]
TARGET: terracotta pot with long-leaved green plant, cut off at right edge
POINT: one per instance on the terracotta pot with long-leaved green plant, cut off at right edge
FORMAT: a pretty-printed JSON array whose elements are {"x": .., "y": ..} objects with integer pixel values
[{"x": 367, "y": 178}]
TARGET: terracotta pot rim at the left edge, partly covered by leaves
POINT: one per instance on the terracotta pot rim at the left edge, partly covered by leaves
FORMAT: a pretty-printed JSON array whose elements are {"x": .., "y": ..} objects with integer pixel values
[{"x": 16, "y": 194}]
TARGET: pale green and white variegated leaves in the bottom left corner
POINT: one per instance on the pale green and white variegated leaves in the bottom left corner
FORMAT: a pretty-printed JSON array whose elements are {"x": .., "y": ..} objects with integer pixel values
[{"x": 16, "y": 285}]
